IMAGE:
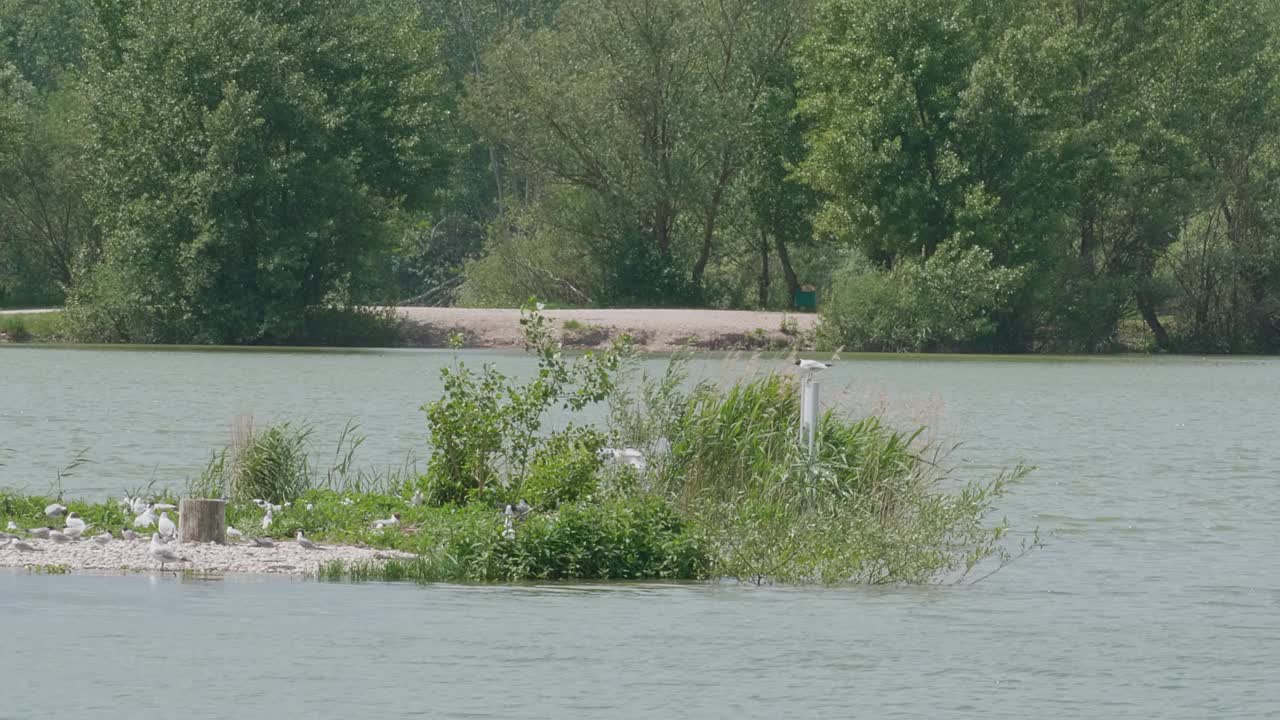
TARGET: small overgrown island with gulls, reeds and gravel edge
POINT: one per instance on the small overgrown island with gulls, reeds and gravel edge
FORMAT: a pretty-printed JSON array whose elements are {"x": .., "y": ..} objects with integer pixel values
[{"x": 684, "y": 482}]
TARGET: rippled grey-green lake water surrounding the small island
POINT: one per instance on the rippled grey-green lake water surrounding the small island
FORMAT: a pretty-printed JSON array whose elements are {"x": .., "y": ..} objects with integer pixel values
[{"x": 1158, "y": 595}]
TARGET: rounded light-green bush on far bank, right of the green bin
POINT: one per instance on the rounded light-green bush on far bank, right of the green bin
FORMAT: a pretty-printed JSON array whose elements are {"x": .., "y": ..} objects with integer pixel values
[{"x": 949, "y": 302}]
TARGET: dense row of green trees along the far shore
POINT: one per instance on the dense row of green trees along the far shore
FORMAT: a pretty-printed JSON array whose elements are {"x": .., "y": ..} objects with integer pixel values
[{"x": 950, "y": 175}]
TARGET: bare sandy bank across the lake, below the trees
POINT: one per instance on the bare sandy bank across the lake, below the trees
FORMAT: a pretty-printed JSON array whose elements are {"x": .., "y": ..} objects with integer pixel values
[{"x": 653, "y": 330}]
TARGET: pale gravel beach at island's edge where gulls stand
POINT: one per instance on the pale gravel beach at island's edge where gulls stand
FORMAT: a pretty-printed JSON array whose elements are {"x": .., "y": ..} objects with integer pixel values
[{"x": 286, "y": 558}]
